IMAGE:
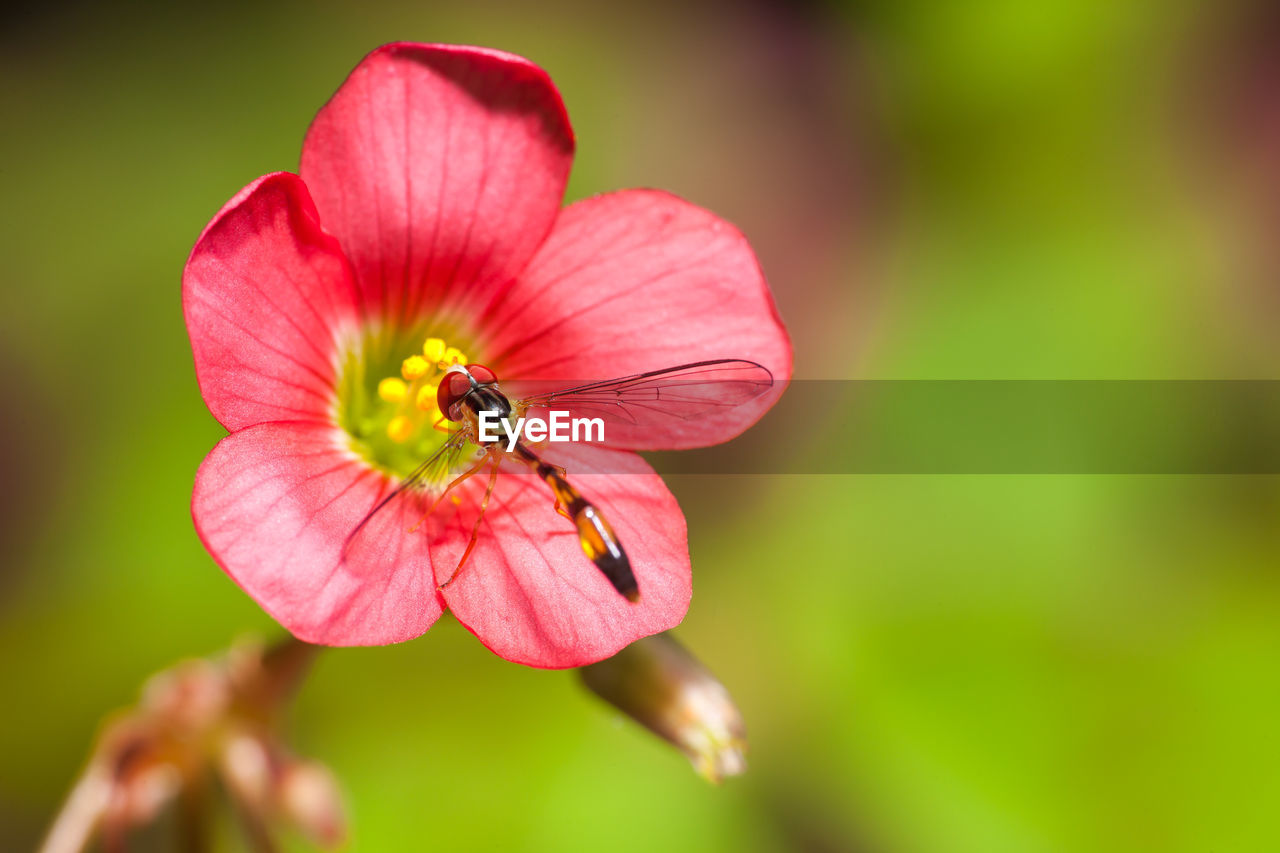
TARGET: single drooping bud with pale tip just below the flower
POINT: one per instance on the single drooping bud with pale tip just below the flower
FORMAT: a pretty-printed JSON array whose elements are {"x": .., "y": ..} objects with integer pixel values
[{"x": 660, "y": 685}]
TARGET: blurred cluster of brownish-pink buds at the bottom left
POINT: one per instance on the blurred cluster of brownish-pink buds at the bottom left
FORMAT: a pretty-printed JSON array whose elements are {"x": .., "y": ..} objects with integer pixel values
[{"x": 196, "y": 720}]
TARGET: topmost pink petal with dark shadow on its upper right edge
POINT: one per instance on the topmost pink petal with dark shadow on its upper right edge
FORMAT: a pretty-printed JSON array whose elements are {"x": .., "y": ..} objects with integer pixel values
[{"x": 441, "y": 171}]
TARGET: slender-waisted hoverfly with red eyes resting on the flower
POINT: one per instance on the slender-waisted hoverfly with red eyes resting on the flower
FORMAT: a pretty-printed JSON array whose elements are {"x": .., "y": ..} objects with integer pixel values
[{"x": 627, "y": 405}]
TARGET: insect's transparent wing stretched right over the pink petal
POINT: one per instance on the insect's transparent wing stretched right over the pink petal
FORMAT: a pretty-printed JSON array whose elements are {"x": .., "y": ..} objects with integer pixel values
[{"x": 647, "y": 400}]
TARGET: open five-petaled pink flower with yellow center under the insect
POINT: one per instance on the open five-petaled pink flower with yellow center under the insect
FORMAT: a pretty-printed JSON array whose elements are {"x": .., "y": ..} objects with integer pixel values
[{"x": 427, "y": 215}]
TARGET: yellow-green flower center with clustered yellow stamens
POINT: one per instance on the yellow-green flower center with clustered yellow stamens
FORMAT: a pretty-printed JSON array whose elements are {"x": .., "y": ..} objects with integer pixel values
[{"x": 395, "y": 422}]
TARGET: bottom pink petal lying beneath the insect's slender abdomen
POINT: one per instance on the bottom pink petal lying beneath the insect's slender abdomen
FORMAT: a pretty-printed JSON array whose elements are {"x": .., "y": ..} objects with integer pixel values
[{"x": 528, "y": 591}]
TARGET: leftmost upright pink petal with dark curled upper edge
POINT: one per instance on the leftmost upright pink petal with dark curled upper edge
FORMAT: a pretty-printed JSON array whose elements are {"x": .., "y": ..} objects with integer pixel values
[{"x": 267, "y": 295}]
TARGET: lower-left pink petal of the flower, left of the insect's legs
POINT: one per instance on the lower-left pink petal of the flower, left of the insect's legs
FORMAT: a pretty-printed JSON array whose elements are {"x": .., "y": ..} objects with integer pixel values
[{"x": 275, "y": 504}]
